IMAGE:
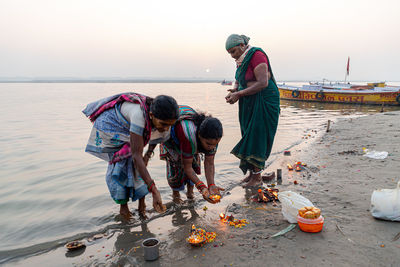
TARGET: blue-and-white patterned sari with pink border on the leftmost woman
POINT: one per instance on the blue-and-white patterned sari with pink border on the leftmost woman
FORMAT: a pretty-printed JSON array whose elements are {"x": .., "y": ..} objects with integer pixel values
[{"x": 110, "y": 140}]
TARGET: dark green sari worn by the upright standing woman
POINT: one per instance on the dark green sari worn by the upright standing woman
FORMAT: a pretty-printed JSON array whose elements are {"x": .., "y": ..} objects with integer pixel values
[{"x": 258, "y": 117}]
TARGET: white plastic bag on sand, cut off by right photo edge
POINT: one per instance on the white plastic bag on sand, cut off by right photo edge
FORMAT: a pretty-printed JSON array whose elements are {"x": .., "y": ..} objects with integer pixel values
[{"x": 385, "y": 204}]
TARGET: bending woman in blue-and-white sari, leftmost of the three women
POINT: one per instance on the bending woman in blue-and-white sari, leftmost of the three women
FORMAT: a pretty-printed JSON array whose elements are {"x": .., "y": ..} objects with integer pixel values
[{"x": 123, "y": 125}]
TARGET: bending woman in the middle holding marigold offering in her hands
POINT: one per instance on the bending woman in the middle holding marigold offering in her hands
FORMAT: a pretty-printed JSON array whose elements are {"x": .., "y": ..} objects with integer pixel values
[{"x": 193, "y": 134}]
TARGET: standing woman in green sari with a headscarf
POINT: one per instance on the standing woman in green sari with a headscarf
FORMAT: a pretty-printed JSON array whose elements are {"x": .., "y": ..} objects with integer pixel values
[{"x": 255, "y": 88}]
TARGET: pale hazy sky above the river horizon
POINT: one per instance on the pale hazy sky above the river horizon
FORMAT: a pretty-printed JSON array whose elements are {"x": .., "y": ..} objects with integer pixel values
[{"x": 304, "y": 39}]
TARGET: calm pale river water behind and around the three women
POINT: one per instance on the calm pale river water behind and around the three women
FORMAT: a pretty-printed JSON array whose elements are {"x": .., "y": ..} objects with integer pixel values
[{"x": 51, "y": 190}]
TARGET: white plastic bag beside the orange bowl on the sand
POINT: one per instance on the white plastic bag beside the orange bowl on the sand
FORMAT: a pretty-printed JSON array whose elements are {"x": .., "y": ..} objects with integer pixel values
[{"x": 291, "y": 203}]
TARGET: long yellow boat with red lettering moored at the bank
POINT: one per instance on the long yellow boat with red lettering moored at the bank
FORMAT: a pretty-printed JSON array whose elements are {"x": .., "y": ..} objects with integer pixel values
[{"x": 372, "y": 93}]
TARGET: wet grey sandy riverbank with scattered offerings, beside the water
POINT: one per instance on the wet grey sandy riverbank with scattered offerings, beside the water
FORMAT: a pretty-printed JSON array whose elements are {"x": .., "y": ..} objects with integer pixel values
[{"x": 339, "y": 180}]
